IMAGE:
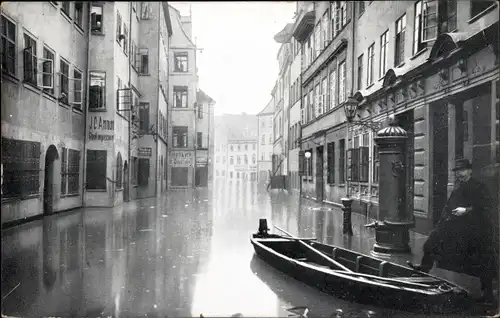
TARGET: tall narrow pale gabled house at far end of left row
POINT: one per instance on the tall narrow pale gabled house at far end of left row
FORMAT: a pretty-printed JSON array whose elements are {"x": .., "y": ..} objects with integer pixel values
[{"x": 182, "y": 106}]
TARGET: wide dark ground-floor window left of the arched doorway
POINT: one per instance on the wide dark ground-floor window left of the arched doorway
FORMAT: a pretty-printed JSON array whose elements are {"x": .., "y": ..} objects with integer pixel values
[{"x": 21, "y": 168}]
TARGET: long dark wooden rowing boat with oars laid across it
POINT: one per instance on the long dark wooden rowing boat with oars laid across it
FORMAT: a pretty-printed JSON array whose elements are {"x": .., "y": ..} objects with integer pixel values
[{"x": 362, "y": 278}]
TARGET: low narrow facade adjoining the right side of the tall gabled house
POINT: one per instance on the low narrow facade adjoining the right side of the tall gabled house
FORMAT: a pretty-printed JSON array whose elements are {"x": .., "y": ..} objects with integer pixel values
[{"x": 204, "y": 139}]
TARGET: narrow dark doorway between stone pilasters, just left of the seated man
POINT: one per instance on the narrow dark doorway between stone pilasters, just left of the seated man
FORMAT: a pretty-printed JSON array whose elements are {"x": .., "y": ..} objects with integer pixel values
[{"x": 439, "y": 174}]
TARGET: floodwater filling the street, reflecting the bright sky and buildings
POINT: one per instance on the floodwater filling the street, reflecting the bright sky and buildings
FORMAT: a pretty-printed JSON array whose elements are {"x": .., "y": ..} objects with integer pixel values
[{"x": 184, "y": 254}]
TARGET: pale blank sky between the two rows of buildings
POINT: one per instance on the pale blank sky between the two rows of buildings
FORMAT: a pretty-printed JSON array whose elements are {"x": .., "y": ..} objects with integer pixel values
[{"x": 238, "y": 66}]
